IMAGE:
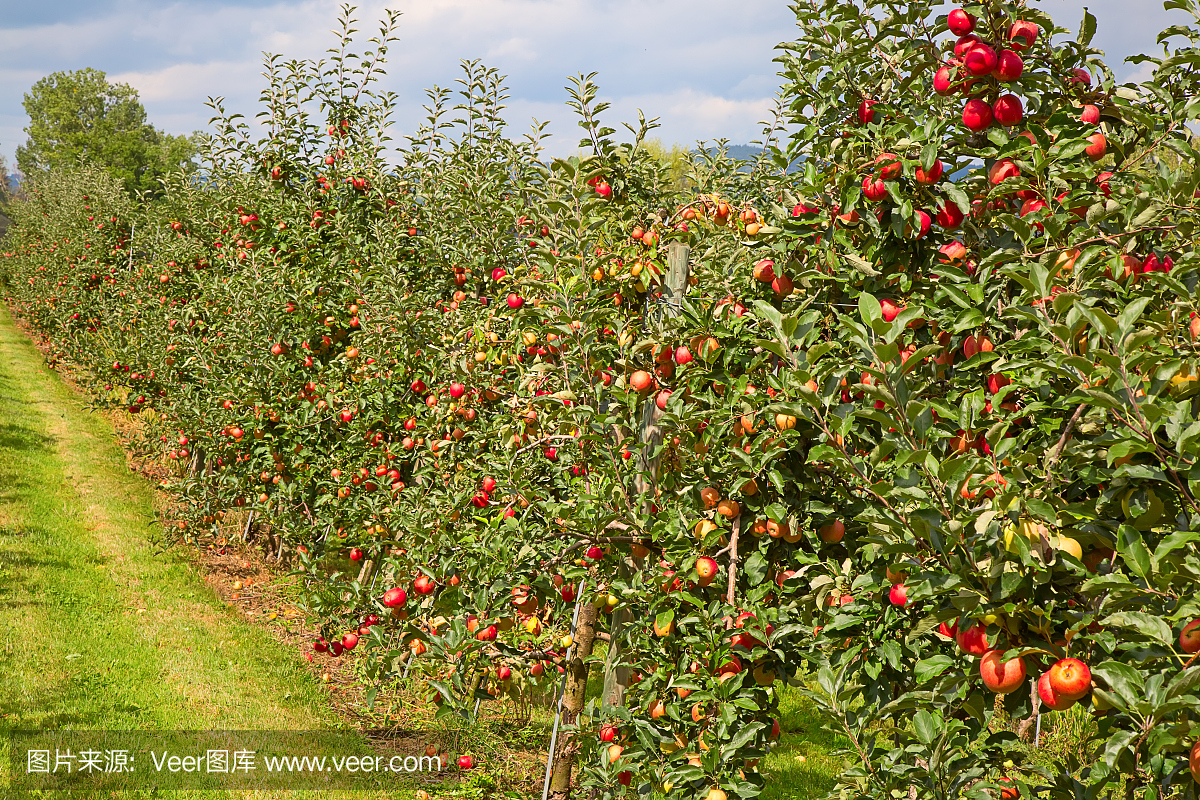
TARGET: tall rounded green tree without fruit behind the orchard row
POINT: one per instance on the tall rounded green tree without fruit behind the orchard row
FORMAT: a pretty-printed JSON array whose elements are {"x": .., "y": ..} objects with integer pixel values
[{"x": 82, "y": 117}]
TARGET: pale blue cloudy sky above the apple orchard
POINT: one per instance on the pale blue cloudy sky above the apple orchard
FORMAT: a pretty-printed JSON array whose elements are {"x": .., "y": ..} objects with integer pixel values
[{"x": 703, "y": 67}]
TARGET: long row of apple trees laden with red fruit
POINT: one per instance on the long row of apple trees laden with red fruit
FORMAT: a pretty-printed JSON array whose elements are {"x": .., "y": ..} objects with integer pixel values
[{"x": 493, "y": 380}]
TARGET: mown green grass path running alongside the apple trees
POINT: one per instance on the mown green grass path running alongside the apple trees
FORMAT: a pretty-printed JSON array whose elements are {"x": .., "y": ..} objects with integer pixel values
[{"x": 99, "y": 628}]
